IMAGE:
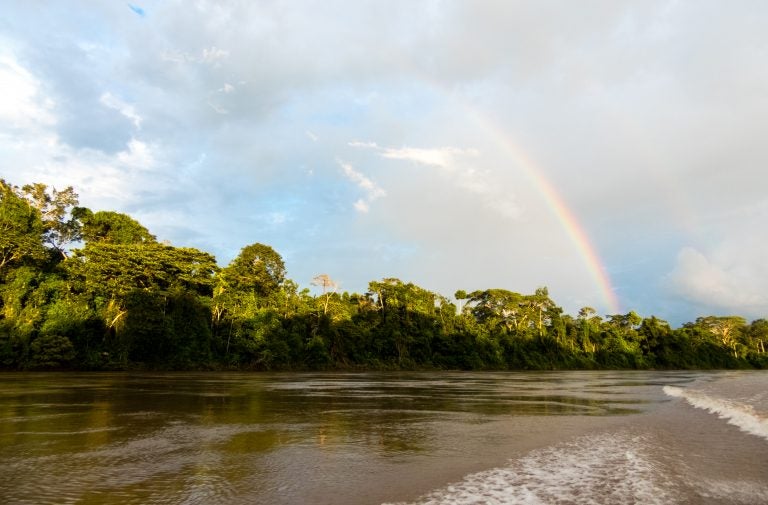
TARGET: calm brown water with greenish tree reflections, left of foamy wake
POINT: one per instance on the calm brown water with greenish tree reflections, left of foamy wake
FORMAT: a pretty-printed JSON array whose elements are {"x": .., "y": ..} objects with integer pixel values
[{"x": 312, "y": 438}]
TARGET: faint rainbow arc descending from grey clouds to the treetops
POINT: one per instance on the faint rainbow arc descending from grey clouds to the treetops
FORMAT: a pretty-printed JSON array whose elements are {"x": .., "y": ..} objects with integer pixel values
[{"x": 564, "y": 215}]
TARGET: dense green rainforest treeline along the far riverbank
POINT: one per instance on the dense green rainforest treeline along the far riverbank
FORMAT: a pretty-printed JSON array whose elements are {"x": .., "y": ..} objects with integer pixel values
[{"x": 96, "y": 291}]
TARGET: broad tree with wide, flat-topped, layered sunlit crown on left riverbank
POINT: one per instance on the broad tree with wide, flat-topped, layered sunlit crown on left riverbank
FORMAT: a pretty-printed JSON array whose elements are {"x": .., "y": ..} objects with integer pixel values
[{"x": 146, "y": 293}]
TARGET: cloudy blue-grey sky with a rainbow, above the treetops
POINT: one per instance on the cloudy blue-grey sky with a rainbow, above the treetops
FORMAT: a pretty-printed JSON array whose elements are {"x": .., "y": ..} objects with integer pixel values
[{"x": 612, "y": 151}]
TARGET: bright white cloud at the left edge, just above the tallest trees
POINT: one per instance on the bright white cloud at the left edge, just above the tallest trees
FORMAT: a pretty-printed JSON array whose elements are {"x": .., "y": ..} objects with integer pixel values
[{"x": 33, "y": 150}]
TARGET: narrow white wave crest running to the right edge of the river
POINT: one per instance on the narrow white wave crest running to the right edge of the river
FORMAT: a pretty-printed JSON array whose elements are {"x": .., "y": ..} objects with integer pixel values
[{"x": 741, "y": 415}]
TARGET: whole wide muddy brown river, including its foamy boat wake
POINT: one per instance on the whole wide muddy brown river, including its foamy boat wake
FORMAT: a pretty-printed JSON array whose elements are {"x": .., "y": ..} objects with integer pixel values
[{"x": 373, "y": 438}]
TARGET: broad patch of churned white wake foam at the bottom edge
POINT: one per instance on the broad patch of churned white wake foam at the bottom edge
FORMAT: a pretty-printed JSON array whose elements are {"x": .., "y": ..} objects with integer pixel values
[{"x": 609, "y": 468}]
